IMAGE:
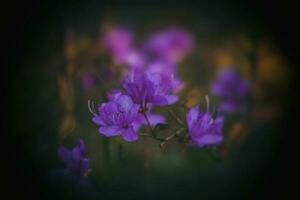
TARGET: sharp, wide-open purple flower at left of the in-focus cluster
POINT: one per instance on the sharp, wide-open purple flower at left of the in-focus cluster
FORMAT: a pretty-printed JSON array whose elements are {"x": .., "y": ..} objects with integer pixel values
[{"x": 117, "y": 117}]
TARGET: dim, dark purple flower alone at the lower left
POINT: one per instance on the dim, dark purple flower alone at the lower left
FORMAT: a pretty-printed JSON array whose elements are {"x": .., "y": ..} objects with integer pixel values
[{"x": 75, "y": 161}]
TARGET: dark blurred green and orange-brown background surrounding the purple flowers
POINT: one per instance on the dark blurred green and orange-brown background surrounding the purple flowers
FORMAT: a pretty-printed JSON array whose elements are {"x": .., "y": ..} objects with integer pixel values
[{"x": 57, "y": 63}]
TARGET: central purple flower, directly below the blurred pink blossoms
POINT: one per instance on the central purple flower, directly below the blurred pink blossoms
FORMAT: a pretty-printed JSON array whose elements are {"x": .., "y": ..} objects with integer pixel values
[{"x": 146, "y": 89}]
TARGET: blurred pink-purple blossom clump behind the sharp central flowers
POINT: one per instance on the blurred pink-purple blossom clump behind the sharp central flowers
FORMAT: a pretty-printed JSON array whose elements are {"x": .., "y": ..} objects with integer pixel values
[{"x": 160, "y": 53}]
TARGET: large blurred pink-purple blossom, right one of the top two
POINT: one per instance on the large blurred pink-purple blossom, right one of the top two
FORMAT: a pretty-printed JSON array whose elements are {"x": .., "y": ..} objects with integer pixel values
[{"x": 171, "y": 44}]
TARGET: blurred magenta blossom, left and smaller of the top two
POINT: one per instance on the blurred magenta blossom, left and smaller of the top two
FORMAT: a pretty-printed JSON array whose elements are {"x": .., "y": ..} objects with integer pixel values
[{"x": 118, "y": 42}]
